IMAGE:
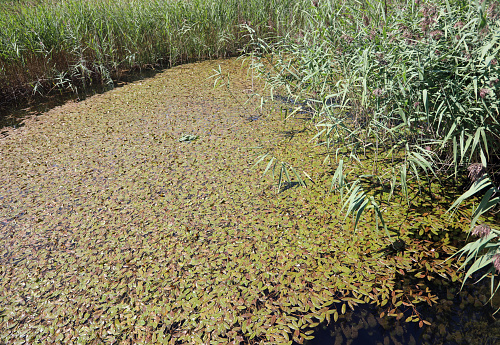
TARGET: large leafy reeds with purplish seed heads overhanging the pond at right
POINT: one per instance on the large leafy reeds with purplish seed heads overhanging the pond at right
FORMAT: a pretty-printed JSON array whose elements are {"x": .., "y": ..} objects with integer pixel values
[{"x": 406, "y": 92}]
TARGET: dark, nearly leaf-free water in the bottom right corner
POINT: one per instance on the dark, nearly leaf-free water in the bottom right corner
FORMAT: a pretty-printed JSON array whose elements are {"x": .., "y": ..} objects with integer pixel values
[{"x": 460, "y": 317}]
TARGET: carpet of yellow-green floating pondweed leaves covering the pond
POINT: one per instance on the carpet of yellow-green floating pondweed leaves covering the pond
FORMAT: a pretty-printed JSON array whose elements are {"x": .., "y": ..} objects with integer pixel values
[{"x": 134, "y": 216}]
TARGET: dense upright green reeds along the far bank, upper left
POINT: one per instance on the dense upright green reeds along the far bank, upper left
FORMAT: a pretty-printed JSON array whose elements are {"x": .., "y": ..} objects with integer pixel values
[{"x": 68, "y": 44}]
